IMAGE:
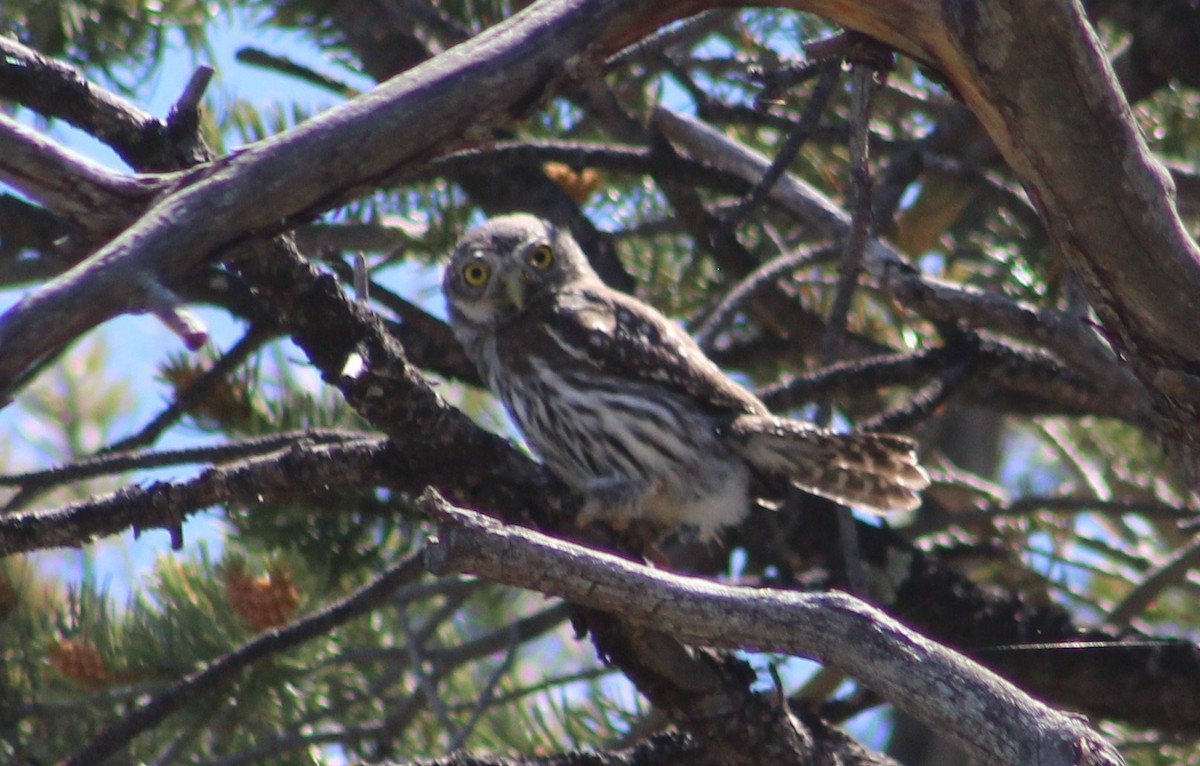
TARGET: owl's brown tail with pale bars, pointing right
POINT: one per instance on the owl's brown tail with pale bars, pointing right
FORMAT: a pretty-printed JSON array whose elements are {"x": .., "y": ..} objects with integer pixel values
[{"x": 877, "y": 472}]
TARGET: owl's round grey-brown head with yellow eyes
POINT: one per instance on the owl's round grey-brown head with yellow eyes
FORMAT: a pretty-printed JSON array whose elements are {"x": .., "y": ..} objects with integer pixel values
[{"x": 507, "y": 265}]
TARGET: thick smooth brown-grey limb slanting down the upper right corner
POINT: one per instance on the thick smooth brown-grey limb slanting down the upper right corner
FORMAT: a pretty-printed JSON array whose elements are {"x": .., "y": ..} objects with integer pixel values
[{"x": 1052, "y": 104}]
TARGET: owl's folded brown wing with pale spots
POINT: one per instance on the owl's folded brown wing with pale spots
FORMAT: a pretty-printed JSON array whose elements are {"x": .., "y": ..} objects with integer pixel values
[{"x": 621, "y": 336}]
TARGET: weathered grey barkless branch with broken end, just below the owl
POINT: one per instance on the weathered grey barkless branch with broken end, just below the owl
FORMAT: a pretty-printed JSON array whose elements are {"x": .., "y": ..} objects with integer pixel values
[{"x": 993, "y": 720}]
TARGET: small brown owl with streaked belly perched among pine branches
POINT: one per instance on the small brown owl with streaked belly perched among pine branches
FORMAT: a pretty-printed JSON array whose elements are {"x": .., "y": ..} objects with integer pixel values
[{"x": 626, "y": 409}]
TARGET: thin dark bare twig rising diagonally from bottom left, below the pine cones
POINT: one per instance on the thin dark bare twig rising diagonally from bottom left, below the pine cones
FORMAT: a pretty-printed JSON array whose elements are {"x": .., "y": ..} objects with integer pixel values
[{"x": 371, "y": 596}]
